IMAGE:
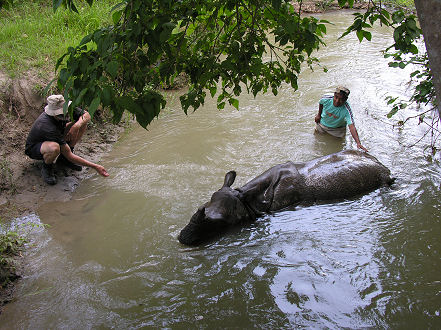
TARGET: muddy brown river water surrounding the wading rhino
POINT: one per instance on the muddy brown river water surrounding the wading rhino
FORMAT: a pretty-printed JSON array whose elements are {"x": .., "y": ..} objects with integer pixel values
[{"x": 110, "y": 257}]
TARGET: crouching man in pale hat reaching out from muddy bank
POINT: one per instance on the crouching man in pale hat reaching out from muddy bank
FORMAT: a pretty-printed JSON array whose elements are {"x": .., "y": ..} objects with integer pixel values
[{"x": 53, "y": 136}]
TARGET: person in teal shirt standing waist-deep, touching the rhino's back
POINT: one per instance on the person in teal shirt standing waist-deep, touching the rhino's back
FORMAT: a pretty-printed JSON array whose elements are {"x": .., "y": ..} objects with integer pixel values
[{"x": 335, "y": 114}]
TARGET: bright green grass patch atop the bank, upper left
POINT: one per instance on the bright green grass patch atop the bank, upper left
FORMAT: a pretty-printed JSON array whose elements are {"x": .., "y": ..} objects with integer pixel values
[{"x": 32, "y": 36}]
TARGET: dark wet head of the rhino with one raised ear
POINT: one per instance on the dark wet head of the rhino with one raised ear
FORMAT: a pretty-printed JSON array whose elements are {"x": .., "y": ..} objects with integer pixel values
[{"x": 225, "y": 209}]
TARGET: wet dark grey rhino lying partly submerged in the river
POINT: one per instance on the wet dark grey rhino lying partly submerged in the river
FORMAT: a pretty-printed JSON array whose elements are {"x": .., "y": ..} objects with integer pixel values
[{"x": 336, "y": 176}]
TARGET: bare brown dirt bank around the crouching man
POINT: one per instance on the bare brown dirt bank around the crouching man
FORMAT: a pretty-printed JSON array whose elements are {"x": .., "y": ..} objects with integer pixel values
[{"x": 21, "y": 185}]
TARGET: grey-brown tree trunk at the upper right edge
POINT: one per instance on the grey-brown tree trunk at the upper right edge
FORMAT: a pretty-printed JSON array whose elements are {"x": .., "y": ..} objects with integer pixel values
[{"x": 429, "y": 14}]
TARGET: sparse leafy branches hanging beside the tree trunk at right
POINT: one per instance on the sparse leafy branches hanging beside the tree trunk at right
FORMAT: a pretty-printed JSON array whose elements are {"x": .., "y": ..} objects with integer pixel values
[{"x": 403, "y": 52}]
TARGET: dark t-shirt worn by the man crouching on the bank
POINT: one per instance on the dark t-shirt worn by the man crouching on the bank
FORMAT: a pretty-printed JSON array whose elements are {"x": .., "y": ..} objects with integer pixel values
[{"x": 47, "y": 128}]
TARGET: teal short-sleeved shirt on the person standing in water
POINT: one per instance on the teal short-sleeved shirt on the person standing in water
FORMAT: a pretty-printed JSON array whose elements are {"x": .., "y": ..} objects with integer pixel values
[{"x": 335, "y": 116}]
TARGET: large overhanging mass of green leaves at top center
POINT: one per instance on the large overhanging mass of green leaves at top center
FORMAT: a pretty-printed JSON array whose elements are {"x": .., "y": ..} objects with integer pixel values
[{"x": 222, "y": 46}]
